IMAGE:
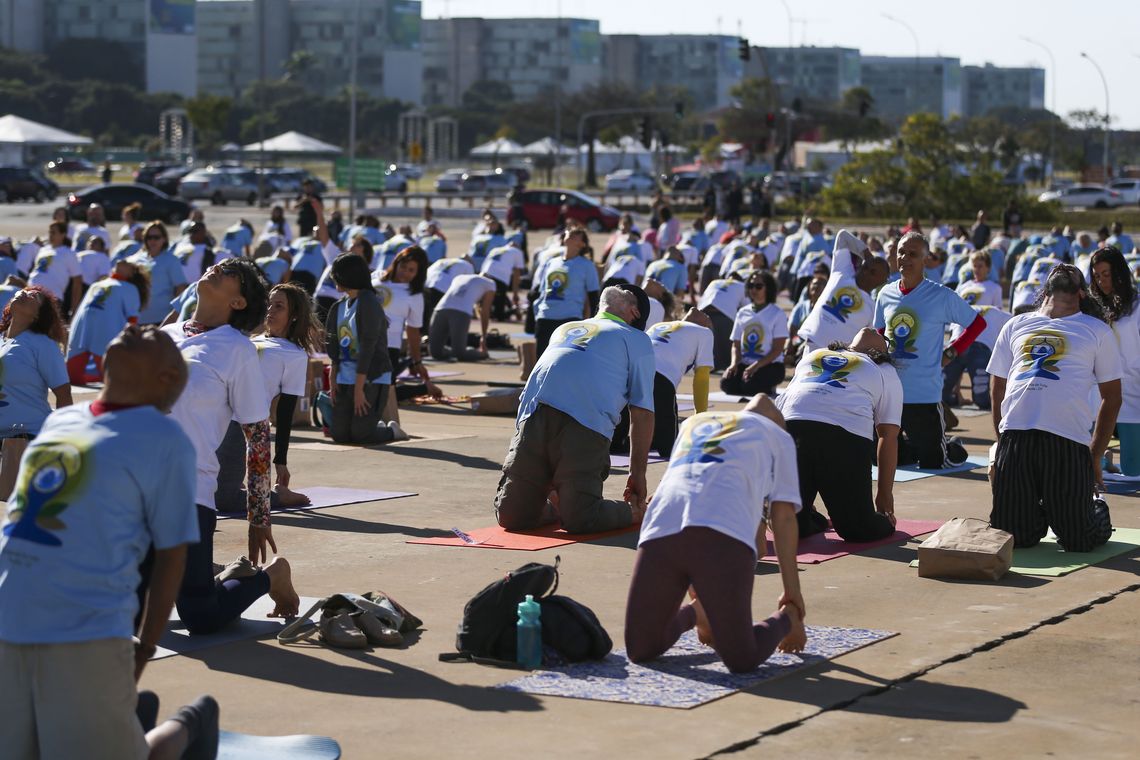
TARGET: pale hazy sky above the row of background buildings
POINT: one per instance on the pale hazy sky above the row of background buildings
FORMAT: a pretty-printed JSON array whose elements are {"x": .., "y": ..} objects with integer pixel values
[{"x": 974, "y": 31}]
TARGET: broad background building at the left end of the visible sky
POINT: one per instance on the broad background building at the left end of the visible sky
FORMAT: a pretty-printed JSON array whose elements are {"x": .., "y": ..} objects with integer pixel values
[{"x": 533, "y": 56}]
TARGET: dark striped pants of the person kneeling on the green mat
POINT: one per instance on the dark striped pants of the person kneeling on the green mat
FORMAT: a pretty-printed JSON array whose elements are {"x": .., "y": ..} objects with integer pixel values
[{"x": 1043, "y": 481}]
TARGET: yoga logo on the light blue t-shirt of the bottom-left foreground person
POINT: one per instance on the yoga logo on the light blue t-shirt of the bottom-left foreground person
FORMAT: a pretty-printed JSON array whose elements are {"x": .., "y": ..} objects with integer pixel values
[{"x": 50, "y": 476}]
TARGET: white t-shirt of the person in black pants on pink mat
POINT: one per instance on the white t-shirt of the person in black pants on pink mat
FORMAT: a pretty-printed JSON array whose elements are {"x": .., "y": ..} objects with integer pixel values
[{"x": 844, "y": 389}]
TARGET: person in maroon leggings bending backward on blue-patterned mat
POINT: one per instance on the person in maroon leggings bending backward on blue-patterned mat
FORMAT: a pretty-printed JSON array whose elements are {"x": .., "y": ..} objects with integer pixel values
[{"x": 702, "y": 534}]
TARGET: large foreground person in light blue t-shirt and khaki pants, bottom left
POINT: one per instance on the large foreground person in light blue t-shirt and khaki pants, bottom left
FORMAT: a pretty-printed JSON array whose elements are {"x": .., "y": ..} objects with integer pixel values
[{"x": 99, "y": 486}]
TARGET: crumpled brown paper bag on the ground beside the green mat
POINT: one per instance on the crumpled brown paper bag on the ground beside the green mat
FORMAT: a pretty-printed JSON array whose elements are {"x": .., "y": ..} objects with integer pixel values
[{"x": 966, "y": 549}]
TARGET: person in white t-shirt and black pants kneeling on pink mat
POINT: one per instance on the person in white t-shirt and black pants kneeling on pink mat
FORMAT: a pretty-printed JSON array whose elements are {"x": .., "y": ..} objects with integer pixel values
[{"x": 836, "y": 403}]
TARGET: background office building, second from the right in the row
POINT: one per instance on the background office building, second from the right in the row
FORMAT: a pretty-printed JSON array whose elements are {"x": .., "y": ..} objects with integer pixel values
[{"x": 902, "y": 86}]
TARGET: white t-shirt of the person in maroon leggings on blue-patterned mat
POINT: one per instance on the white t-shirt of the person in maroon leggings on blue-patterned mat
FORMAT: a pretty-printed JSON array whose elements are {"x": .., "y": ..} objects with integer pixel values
[{"x": 723, "y": 469}]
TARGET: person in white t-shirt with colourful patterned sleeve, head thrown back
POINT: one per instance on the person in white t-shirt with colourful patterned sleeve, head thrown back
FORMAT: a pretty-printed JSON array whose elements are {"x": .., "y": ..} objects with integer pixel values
[{"x": 225, "y": 385}]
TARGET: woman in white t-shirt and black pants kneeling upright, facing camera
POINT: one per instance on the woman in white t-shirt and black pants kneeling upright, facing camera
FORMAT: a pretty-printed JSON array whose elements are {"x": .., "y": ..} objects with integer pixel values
[{"x": 759, "y": 338}]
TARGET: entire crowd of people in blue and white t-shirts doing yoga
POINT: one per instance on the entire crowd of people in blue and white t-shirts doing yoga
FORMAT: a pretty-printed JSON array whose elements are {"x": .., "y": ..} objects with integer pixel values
[{"x": 202, "y": 345}]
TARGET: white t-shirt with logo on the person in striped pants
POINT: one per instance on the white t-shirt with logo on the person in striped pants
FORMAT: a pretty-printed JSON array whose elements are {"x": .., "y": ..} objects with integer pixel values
[{"x": 1049, "y": 366}]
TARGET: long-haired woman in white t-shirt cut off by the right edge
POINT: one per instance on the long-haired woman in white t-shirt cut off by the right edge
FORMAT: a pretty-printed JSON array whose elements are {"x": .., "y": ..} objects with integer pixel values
[{"x": 1117, "y": 293}]
